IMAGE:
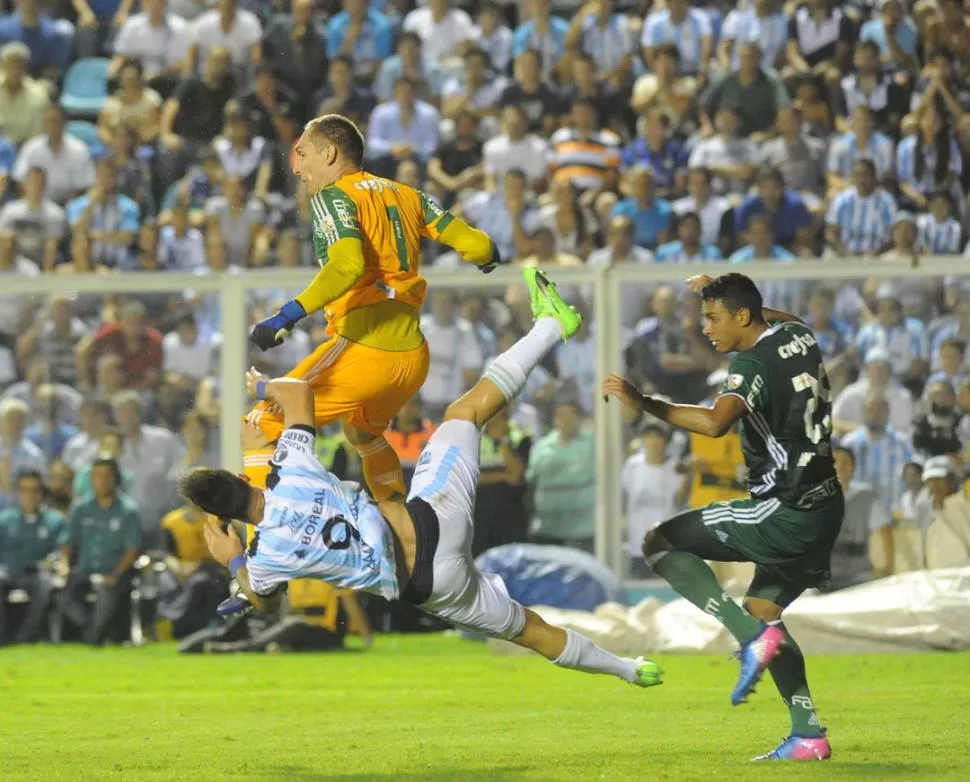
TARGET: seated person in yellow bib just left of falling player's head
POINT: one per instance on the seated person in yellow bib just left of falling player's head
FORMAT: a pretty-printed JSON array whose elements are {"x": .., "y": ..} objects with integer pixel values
[{"x": 193, "y": 584}]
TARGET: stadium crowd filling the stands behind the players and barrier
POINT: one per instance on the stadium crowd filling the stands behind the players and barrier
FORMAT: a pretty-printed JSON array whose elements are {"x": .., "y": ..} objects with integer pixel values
[{"x": 155, "y": 136}]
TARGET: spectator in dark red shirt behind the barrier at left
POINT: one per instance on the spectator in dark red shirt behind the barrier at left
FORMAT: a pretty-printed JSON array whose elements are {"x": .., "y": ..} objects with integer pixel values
[{"x": 138, "y": 345}]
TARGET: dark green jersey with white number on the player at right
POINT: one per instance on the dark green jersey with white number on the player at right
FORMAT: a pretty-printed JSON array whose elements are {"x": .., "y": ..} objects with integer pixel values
[{"x": 785, "y": 434}]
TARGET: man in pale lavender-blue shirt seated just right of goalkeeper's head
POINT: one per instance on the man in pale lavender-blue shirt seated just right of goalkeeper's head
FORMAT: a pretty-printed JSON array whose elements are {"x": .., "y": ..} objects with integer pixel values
[{"x": 403, "y": 129}]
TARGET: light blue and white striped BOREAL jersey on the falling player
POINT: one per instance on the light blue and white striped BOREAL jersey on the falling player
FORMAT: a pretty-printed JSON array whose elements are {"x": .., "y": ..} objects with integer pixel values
[{"x": 315, "y": 526}]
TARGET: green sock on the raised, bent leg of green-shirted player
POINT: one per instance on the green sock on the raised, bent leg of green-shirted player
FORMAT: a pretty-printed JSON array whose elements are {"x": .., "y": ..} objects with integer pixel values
[{"x": 690, "y": 576}]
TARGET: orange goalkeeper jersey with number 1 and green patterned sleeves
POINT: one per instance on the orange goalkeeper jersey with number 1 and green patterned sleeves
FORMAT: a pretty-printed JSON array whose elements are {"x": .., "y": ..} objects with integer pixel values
[{"x": 390, "y": 219}]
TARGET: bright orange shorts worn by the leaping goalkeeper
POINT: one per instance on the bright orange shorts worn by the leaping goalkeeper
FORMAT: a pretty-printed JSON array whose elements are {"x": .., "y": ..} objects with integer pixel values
[{"x": 360, "y": 385}]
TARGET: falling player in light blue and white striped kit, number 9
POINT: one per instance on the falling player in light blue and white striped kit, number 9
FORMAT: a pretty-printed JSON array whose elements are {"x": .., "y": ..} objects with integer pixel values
[{"x": 416, "y": 549}]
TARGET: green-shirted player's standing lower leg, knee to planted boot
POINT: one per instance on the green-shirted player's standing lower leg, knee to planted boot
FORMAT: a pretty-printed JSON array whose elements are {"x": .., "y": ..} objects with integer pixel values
[{"x": 770, "y": 593}]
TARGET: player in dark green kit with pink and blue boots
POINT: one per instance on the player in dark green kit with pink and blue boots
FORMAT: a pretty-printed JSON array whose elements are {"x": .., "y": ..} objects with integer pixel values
[{"x": 778, "y": 394}]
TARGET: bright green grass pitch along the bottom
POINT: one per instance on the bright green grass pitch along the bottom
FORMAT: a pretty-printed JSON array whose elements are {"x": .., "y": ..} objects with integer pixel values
[{"x": 432, "y": 708}]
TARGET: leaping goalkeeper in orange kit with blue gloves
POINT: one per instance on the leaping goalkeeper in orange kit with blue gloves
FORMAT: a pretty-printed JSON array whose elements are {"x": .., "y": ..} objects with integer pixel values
[{"x": 366, "y": 234}]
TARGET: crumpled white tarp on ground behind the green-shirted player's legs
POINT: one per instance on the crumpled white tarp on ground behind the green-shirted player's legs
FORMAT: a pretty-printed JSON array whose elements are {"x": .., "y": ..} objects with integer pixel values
[{"x": 909, "y": 612}]
